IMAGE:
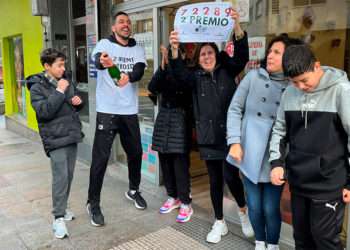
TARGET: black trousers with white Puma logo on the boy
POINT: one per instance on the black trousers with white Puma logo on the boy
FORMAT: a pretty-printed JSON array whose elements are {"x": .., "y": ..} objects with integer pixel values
[{"x": 317, "y": 223}]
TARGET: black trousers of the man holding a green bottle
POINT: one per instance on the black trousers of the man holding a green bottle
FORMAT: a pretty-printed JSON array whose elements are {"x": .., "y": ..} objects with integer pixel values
[{"x": 107, "y": 126}]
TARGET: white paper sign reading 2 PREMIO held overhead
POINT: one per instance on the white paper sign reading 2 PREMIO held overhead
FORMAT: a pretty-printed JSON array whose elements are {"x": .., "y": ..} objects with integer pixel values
[{"x": 204, "y": 22}]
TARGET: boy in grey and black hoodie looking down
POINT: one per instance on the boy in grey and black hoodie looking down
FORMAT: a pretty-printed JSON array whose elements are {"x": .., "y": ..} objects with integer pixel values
[{"x": 314, "y": 119}]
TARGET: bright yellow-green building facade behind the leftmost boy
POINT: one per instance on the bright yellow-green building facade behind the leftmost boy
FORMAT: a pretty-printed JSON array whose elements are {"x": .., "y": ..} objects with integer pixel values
[{"x": 21, "y": 39}]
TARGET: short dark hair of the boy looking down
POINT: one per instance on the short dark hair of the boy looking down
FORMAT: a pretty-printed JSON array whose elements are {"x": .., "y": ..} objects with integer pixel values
[{"x": 297, "y": 60}]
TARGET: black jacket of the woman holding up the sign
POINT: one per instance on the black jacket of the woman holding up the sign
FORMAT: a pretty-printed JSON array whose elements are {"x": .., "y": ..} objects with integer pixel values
[{"x": 212, "y": 94}]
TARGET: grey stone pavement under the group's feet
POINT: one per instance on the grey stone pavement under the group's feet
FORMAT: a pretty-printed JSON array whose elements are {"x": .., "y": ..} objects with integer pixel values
[{"x": 25, "y": 209}]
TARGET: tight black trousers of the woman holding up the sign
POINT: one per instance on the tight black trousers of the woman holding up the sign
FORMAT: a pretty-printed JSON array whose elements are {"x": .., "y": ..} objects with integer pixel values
[{"x": 220, "y": 170}]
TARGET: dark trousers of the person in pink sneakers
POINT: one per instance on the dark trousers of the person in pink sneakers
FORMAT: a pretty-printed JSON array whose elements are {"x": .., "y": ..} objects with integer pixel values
[{"x": 176, "y": 175}]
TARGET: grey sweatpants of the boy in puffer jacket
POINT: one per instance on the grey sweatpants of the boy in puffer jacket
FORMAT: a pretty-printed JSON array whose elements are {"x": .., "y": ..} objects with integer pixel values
[{"x": 62, "y": 166}]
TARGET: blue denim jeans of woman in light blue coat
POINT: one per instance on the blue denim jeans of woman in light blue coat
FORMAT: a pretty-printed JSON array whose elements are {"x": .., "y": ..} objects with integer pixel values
[{"x": 263, "y": 200}]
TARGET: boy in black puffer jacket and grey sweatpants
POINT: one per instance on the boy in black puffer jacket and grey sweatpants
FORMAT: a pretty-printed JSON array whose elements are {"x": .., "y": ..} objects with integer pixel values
[{"x": 55, "y": 102}]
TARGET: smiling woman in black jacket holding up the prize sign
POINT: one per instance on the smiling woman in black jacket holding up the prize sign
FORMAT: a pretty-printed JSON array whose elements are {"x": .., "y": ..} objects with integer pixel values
[{"x": 212, "y": 86}]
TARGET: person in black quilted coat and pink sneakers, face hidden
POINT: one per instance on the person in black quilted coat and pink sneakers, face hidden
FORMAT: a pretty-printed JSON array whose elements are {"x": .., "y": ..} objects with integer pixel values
[{"x": 172, "y": 139}]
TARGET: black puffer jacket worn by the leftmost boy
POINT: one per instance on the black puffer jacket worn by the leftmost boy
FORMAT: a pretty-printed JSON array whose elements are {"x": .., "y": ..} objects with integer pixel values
[{"x": 58, "y": 119}]
